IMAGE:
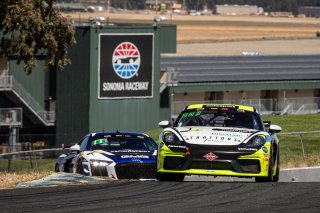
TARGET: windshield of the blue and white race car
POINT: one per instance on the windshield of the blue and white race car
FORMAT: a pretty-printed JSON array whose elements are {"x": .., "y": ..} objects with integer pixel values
[{"x": 113, "y": 143}]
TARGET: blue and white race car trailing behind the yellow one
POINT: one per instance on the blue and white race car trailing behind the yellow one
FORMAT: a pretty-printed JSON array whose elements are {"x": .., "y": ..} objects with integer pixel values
[{"x": 119, "y": 155}]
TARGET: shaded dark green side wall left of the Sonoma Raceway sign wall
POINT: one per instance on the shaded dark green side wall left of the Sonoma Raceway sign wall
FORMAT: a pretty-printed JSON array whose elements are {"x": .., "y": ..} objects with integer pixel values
[{"x": 72, "y": 116}]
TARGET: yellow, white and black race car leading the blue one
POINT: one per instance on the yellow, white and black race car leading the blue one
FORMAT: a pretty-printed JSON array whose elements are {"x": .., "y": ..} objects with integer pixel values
[{"x": 218, "y": 140}]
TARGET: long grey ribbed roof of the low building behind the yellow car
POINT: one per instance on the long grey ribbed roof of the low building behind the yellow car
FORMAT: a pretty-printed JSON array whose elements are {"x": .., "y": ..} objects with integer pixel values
[{"x": 243, "y": 68}]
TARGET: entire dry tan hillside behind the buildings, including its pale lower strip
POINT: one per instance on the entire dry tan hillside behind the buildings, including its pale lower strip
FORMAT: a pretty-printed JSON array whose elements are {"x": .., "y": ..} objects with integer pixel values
[{"x": 230, "y": 35}]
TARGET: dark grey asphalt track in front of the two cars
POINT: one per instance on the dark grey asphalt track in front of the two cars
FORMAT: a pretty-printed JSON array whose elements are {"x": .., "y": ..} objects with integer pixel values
[{"x": 153, "y": 196}]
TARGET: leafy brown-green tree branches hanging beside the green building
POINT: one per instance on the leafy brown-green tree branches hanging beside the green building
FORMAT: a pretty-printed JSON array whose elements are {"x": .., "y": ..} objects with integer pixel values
[{"x": 29, "y": 28}]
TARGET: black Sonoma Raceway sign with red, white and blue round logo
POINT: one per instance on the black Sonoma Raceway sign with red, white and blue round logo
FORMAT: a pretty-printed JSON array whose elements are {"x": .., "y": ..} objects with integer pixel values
[{"x": 125, "y": 66}]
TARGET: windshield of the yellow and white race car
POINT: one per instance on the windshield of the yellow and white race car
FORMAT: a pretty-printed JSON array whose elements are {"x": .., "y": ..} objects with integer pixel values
[{"x": 219, "y": 118}]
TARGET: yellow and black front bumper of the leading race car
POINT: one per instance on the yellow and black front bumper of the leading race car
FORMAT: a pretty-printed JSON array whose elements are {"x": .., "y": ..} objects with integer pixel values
[{"x": 239, "y": 163}]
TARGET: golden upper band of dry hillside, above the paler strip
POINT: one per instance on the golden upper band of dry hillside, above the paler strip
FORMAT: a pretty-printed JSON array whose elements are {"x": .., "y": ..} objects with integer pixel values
[{"x": 195, "y": 29}]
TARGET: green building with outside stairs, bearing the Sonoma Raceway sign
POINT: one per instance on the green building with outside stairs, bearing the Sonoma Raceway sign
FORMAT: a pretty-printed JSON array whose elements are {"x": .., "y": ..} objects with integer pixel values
[{"x": 112, "y": 84}]
